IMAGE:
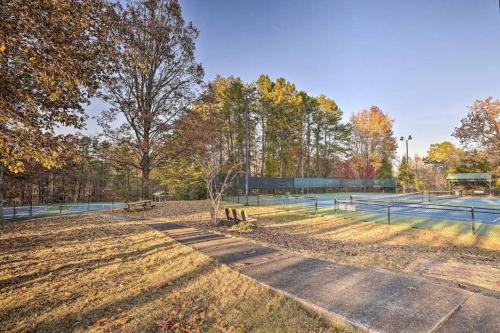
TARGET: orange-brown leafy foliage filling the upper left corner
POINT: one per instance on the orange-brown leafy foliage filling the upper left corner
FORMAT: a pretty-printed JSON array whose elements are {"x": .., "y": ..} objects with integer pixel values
[{"x": 53, "y": 54}]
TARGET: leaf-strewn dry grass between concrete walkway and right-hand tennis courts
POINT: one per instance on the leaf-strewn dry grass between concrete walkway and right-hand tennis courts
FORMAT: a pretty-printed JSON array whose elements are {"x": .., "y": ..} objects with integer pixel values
[{"x": 463, "y": 259}]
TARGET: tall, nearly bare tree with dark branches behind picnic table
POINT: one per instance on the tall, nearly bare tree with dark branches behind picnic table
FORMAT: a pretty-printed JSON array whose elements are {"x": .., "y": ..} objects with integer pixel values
[{"x": 155, "y": 84}]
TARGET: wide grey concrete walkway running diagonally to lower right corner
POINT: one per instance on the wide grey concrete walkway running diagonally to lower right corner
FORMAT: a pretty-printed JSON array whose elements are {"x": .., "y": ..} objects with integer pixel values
[{"x": 371, "y": 300}]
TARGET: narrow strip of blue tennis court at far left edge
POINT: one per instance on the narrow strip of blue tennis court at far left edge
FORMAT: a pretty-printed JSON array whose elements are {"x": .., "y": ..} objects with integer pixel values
[{"x": 22, "y": 212}]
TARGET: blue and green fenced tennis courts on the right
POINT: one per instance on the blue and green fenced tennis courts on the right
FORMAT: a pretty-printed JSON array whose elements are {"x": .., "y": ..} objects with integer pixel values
[{"x": 422, "y": 209}]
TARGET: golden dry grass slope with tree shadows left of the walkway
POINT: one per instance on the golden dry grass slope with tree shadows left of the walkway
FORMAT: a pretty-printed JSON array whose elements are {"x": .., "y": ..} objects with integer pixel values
[{"x": 84, "y": 273}]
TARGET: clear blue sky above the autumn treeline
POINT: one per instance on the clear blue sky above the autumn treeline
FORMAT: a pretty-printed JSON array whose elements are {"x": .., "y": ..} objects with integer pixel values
[{"x": 422, "y": 62}]
